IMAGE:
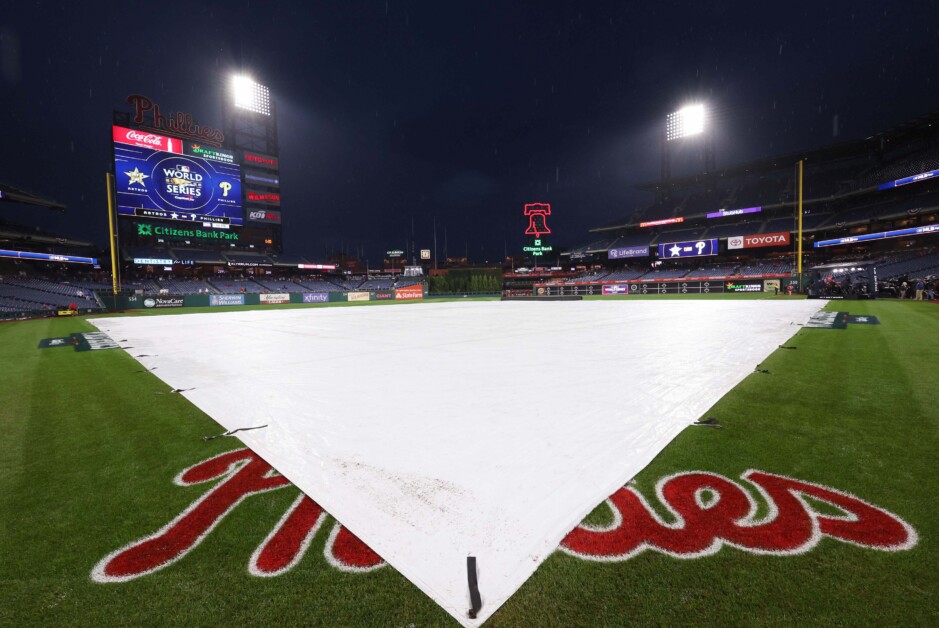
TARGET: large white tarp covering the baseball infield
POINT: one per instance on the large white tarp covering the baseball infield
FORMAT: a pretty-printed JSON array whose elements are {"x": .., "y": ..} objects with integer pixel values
[{"x": 438, "y": 431}]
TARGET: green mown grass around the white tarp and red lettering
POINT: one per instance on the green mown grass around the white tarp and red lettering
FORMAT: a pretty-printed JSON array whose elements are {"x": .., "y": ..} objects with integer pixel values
[{"x": 90, "y": 451}]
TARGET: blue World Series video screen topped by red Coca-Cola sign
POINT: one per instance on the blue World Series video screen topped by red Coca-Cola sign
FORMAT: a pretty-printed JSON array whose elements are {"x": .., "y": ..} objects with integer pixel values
[{"x": 167, "y": 178}]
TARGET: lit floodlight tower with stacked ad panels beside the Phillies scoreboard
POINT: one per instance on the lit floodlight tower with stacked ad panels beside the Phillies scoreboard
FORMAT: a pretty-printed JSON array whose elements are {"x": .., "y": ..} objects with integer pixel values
[{"x": 249, "y": 121}]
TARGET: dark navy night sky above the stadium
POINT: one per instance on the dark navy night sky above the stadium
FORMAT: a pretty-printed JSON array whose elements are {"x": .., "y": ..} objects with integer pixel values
[{"x": 392, "y": 112}]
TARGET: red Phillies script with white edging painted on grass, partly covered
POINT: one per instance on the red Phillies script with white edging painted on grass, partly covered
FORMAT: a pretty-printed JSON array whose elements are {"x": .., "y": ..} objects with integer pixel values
[{"x": 708, "y": 511}]
